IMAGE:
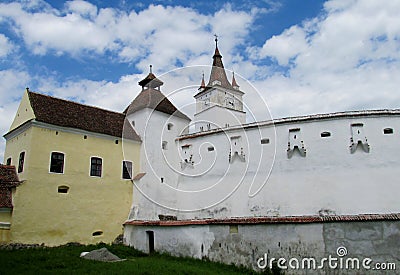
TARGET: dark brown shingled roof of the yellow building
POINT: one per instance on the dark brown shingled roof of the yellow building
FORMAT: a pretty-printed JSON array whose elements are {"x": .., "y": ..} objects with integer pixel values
[{"x": 66, "y": 113}]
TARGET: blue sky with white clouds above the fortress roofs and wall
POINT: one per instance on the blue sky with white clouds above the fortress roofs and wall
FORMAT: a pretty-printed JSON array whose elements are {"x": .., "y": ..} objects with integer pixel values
[{"x": 303, "y": 57}]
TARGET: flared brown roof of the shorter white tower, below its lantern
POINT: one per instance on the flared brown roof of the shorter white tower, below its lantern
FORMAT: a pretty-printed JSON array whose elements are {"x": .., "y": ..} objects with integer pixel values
[{"x": 153, "y": 99}]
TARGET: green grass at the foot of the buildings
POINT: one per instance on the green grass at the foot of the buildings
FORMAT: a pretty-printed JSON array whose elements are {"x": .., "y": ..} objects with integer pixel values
[{"x": 66, "y": 260}]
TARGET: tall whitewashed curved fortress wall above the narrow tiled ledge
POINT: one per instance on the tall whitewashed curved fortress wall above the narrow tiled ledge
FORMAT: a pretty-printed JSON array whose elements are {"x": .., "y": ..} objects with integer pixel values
[{"x": 317, "y": 165}]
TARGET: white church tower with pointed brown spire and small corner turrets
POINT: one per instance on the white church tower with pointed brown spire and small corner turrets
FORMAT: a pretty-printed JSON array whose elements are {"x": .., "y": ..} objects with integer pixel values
[{"x": 219, "y": 104}]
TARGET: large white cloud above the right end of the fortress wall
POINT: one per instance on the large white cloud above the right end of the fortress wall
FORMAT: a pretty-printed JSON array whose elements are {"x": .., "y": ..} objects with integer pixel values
[{"x": 346, "y": 59}]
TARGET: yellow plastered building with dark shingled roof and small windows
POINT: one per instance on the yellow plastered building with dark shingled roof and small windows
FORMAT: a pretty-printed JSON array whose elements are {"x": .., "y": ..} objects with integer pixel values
[{"x": 76, "y": 164}]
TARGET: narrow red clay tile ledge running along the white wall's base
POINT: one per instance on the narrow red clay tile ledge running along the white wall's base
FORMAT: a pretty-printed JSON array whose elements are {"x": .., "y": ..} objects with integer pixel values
[{"x": 269, "y": 220}]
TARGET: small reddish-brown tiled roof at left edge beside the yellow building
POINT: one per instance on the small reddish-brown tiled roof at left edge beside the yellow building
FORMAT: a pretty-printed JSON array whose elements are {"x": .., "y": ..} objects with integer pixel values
[{"x": 8, "y": 180}]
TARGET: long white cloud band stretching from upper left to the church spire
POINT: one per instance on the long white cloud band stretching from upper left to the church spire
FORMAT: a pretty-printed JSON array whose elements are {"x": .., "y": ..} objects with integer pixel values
[{"x": 166, "y": 36}]
